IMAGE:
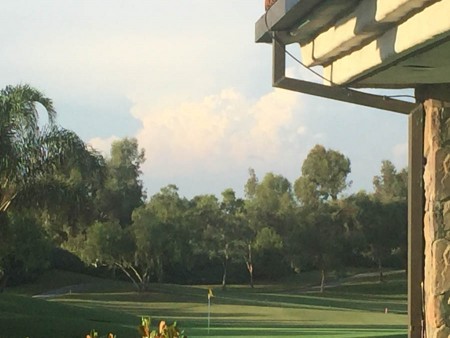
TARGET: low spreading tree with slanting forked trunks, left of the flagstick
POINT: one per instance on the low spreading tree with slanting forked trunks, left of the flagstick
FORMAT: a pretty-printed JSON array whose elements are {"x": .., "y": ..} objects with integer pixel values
[{"x": 143, "y": 249}]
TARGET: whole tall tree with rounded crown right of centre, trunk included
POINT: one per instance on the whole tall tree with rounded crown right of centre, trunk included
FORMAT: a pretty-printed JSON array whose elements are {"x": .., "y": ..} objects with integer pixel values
[{"x": 321, "y": 233}]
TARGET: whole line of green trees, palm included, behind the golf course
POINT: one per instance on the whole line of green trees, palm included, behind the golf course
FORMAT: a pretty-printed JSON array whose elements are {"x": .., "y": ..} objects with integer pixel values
[{"x": 62, "y": 204}]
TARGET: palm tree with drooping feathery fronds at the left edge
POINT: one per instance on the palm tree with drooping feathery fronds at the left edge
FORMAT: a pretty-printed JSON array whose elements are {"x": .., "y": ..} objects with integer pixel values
[{"x": 33, "y": 155}]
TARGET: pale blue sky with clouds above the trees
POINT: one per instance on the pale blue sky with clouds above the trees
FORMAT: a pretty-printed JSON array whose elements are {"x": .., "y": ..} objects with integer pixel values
[{"x": 186, "y": 79}]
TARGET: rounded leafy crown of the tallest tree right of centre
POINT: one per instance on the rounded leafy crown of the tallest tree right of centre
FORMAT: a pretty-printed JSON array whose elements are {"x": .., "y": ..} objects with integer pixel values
[{"x": 324, "y": 174}]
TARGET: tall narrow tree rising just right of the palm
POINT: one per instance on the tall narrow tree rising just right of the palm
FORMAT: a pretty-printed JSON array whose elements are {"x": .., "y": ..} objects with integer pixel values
[{"x": 123, "y": 191}]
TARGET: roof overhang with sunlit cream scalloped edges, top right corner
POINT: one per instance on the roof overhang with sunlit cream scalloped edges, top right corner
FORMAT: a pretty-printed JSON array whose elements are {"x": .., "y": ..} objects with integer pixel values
[{"x": 366, "y": 43}]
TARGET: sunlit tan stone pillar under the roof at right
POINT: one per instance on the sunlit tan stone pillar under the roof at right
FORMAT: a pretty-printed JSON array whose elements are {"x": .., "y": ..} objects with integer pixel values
[{"x": 436, "y": 102}]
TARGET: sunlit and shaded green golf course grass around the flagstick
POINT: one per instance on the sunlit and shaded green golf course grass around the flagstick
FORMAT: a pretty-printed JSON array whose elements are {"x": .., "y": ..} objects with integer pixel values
[{"x": 353, "y": 309}]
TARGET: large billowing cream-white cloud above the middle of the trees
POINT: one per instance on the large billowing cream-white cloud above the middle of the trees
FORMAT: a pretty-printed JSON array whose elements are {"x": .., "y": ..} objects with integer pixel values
[{"x": 215, "y": 133}]
